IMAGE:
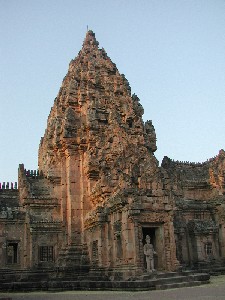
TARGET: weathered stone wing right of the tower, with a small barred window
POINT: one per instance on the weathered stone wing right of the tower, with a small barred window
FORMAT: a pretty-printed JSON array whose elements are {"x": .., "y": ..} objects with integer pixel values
[{"x": 199, "y": 218}]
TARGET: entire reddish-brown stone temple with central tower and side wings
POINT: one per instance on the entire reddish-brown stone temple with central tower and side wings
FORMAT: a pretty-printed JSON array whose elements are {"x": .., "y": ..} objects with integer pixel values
[{"x": 99, "y": 190}]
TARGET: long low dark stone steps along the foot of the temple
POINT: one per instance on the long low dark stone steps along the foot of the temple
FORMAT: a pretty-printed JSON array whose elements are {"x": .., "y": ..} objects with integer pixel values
[{"x": 31, "y": 281}]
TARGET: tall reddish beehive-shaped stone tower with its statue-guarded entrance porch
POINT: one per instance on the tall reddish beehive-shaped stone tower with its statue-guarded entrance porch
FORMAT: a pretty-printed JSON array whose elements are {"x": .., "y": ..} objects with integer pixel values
[{"x": 97, "y": 163}]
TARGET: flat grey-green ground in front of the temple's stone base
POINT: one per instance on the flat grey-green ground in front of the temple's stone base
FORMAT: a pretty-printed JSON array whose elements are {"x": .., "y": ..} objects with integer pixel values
[{"x": 213, "y": 291}]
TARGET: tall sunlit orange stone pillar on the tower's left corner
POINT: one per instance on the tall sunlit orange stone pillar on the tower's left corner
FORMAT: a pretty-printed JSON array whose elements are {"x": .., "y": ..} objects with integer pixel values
[{"x": 73, "y": 257}]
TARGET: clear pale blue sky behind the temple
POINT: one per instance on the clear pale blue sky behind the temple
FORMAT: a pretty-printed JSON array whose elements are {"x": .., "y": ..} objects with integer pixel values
[{"x": 171, "y": 52}]
